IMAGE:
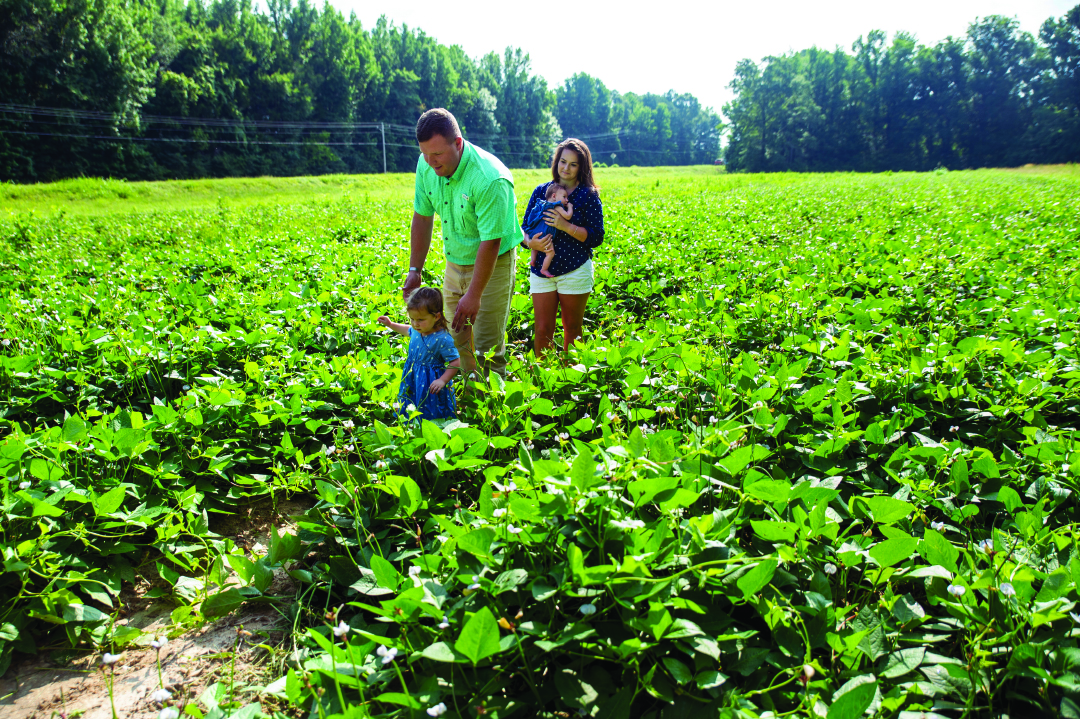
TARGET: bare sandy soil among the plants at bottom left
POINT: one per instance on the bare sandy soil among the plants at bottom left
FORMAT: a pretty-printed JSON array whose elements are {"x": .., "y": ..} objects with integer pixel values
[{"x": 66, "y": 685}]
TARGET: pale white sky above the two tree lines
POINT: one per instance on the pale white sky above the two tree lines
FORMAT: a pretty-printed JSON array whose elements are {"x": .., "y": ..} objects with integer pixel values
[{"x": 682, "y": 46}]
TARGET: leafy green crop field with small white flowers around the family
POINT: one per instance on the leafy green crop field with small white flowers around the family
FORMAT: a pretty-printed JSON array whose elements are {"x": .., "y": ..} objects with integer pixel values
[{"x": 817, "y": 456}]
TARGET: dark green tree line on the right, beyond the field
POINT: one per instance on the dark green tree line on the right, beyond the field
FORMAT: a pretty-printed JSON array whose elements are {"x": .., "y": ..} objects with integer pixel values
[{"x": 996, "y": 98}]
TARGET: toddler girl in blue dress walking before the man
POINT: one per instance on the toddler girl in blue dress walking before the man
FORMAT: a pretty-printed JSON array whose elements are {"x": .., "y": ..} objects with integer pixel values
[{"x": 433, "y": 359}]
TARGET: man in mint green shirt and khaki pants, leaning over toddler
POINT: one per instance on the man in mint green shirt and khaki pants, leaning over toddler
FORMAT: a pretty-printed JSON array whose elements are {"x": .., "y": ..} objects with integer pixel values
[{"x": 474, "y": 194}]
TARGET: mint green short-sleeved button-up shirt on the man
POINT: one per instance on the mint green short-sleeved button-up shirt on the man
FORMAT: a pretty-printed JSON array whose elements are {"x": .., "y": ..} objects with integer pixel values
[{"x": 476, "y": 205}]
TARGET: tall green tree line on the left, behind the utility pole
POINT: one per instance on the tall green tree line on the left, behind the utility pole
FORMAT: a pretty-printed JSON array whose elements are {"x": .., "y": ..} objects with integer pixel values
[{"x": 185, "y": 89}]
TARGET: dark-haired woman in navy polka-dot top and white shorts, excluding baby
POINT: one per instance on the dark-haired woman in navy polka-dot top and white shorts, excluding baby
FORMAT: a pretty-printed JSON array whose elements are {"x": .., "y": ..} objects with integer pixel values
[{"x": 566, "y": 293}]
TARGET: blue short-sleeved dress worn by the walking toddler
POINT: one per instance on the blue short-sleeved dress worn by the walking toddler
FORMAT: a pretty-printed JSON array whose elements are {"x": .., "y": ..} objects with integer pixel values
[{"x": 427, "y": 361}]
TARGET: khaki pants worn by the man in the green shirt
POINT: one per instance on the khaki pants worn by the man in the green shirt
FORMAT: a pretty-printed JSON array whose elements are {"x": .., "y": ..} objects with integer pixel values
[{"x": 490, "y": 331}]
